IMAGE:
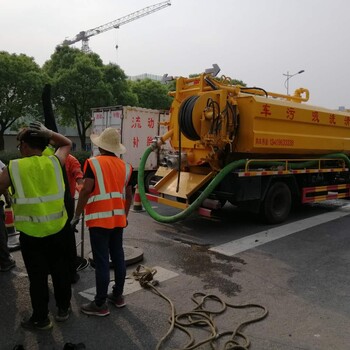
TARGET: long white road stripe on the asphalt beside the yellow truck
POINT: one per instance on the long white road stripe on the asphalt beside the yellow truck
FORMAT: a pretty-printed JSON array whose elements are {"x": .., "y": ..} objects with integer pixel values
[{"x": 252, "y": 241}]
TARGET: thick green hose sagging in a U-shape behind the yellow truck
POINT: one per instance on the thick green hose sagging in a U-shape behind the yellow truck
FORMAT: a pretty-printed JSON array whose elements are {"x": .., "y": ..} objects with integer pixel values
[{"x": 195, "y": 205}]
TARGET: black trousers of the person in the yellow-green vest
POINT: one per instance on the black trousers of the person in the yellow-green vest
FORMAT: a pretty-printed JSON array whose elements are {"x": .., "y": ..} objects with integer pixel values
[{"x": 44, "y": 256}]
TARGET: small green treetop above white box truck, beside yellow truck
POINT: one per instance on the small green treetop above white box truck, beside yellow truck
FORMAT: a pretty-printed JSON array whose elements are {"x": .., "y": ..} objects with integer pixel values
[{"x": 151, "y": 94}]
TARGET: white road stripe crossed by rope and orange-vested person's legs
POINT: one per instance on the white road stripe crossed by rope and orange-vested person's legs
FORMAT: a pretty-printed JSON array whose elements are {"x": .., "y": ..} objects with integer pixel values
[{"x": 131, "y": 285}]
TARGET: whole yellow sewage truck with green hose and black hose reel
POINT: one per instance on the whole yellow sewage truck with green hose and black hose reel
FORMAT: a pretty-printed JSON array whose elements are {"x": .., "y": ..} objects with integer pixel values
[{"x": 259, "y": 150}]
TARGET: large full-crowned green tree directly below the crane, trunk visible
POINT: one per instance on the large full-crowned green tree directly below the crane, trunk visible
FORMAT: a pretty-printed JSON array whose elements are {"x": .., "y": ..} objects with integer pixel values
[{"x": 77, "y": 86}]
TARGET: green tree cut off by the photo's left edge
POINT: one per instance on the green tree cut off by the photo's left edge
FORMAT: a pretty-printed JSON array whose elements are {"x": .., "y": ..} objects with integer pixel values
[{"x": 20, "y": 90}]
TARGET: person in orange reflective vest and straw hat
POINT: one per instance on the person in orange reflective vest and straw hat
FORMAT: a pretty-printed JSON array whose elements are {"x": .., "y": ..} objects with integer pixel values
[{"x": 106, "y": 196}]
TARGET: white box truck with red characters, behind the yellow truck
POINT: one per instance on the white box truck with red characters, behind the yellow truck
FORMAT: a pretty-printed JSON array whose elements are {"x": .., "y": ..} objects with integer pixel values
[{"x": 138, "y": 127}]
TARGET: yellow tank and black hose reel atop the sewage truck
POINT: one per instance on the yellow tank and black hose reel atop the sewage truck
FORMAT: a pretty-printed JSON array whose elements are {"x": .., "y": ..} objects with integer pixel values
[{"x": 216, "y": 122}]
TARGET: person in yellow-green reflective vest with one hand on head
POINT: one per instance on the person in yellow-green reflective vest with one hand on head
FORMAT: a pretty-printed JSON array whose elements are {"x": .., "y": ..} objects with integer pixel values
[{"x": 37, "y": 189}]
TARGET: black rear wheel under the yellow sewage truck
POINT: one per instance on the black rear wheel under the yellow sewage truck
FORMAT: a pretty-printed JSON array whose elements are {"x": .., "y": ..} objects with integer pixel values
[{"x": 277, "y": 203}]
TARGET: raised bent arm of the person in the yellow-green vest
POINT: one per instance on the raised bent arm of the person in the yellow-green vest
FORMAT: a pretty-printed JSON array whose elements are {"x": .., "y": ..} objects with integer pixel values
[{"x": 63, "y": 144}]
